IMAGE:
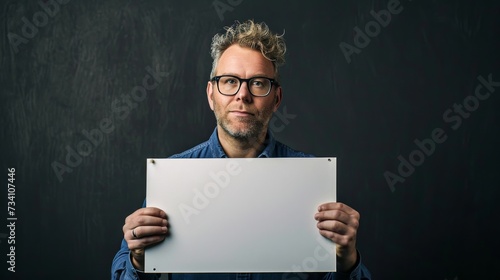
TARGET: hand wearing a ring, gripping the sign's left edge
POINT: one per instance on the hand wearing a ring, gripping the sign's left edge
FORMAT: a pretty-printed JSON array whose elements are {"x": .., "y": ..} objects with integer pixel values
[{"x": 149, "y": 225}]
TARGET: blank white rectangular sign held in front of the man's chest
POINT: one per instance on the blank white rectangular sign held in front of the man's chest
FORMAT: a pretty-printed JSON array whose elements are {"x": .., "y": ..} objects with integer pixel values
[{"x": 241, "y": 215}]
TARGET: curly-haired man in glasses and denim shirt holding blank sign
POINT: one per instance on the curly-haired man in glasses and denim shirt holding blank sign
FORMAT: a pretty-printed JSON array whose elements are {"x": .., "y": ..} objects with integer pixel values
[{"x": 243, "y": 92}]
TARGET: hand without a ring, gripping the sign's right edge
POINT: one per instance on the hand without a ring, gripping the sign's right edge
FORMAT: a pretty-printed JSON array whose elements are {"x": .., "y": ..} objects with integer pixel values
[{"x": 339, "y": 223}]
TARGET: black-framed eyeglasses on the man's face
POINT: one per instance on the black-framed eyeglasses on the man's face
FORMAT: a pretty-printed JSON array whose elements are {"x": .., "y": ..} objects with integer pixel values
[{"x": 230, "y": 85}]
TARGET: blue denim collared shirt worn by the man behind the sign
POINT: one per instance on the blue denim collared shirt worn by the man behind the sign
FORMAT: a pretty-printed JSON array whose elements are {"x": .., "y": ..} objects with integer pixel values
[{"x": 122, "y": 267}]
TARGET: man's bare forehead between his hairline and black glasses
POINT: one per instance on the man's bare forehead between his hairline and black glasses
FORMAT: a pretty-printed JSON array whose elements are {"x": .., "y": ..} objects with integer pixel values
[{"x": 244, "y": 62}]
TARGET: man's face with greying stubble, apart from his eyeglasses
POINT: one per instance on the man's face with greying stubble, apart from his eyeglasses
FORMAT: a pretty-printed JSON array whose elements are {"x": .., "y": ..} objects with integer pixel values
[{"x": 243, "y": 116}]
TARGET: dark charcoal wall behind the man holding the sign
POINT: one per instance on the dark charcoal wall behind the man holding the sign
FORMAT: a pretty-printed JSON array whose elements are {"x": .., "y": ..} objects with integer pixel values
[{"x": 437, "y": 224}]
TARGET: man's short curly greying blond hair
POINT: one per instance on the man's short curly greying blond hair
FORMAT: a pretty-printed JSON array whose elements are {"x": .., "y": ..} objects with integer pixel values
[{"x": 252, "y": 35}]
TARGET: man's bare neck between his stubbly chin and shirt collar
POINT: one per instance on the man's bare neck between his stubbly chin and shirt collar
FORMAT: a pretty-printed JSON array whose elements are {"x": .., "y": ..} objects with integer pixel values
[{"x": 241, "y": 148}]
